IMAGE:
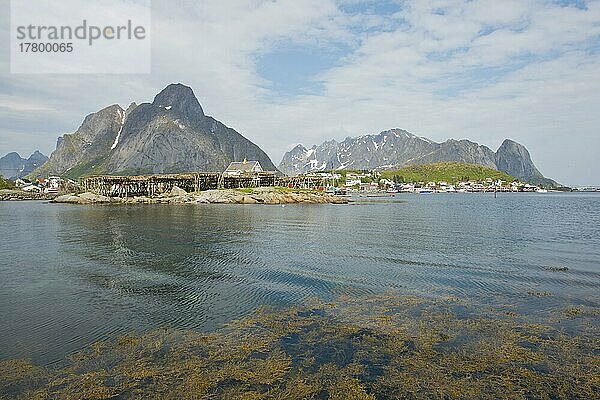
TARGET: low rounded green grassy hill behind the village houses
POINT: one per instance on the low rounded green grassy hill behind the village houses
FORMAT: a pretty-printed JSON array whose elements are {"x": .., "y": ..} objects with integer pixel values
[{"x": 450, "y": 172}]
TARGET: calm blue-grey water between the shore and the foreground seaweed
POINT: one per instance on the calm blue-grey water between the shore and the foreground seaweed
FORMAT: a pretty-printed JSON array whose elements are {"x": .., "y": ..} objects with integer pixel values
[{"x": 72, "y": 275}]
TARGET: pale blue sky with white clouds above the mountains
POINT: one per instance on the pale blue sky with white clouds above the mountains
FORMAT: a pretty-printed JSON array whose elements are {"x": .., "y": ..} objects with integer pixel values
[{"x": 305, "y": 71}]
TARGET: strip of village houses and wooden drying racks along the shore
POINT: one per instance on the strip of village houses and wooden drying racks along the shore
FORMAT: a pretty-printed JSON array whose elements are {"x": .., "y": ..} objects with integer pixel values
[{"x": 249, "y": 174}]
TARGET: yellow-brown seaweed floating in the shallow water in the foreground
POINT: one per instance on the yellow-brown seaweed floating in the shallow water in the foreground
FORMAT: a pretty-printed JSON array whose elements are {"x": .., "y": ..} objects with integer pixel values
[{"x": 378, "y": 347}]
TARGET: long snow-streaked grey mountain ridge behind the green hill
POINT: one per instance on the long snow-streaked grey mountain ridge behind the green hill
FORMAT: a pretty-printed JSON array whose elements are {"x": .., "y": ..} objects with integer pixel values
[{"x": 396, "y": 148}]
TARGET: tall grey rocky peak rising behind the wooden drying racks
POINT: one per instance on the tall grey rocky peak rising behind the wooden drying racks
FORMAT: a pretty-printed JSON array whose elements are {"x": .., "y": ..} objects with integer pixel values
[{"x": 171, "y": 134}]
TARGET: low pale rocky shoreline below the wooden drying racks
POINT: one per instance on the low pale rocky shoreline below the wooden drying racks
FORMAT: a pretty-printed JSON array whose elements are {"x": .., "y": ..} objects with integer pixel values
[{"x": 228, "y": 196}]
